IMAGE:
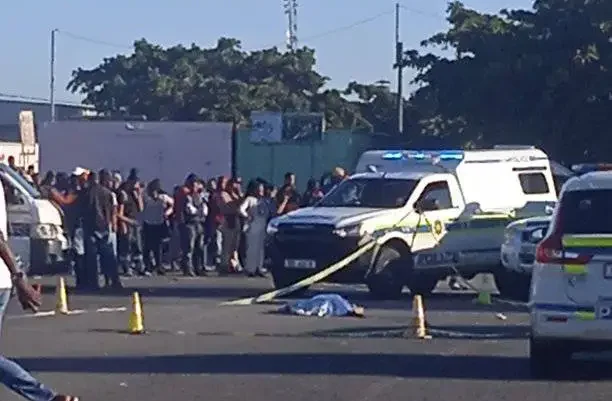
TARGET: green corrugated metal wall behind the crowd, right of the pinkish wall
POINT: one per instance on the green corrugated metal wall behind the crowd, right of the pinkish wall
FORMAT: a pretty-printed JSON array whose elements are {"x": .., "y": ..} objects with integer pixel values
[{"x": 306, "y": 160}]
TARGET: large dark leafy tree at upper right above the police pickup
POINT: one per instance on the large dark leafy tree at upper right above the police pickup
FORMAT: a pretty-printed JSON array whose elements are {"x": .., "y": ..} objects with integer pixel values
[{"x": 538, "y": 76}]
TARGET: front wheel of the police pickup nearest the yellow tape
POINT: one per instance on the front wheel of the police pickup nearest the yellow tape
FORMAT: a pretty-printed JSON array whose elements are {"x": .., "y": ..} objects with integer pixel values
[{"x": 385, "y": 280}]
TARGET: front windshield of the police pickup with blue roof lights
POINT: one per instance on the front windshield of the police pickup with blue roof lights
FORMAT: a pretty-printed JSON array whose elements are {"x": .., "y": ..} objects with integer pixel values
[{"x": 370, "y": 193}]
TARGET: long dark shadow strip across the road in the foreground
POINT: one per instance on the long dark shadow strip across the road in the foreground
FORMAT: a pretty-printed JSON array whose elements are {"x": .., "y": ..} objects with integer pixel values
[{"x": 490, "y": 367}]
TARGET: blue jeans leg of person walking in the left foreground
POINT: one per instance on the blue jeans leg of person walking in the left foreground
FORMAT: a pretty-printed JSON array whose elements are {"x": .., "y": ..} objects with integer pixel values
[{"x": 14, "y": 376}]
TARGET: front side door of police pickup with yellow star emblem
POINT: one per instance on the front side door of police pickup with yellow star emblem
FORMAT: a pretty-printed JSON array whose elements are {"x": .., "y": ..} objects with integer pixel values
[{"x": 436, "y": 209}]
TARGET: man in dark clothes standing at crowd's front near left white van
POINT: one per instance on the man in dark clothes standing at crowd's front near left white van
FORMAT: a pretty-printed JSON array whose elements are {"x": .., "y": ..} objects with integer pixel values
[{"x": 97, "y": 213}]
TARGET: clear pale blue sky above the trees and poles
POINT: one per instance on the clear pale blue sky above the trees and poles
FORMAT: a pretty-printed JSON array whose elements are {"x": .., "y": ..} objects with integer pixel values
[{"x": 346, "y": 49}]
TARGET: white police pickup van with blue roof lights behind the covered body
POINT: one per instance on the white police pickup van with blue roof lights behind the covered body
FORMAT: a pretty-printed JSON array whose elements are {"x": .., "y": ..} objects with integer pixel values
[{"x": 430, "y": 212}]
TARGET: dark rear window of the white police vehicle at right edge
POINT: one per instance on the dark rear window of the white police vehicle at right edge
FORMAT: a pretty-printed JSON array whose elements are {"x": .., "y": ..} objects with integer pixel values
[{"x": 587, "y": 212}]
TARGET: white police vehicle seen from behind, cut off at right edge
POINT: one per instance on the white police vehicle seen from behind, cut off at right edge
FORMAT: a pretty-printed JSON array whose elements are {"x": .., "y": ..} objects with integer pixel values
[{"x": 571, "y": 290}]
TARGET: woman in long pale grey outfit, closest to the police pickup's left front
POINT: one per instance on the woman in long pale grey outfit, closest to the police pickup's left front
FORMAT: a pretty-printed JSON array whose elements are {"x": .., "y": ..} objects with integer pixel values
[{"x": 255, "y": 210}]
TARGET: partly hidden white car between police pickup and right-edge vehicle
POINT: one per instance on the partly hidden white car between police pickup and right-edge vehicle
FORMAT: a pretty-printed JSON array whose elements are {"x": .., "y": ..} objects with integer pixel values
[{"x": 518, "y": 256}]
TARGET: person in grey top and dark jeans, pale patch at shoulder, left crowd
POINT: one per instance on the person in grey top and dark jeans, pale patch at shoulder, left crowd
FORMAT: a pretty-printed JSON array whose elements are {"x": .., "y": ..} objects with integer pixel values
[{"x": 157, "y": 209}]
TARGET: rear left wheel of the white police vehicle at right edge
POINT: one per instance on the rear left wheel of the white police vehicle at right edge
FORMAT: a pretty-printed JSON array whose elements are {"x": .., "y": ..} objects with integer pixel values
[{"x": 547, "y": 359}]
